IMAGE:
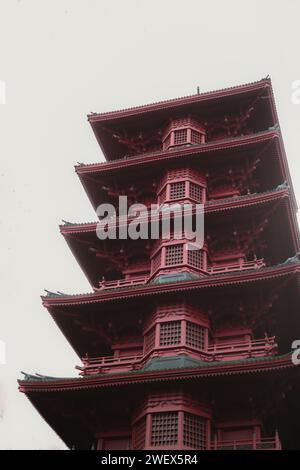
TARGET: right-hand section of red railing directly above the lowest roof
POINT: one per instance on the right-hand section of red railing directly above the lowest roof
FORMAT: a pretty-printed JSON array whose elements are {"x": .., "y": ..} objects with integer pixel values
[{"x": 251, "y": 348}]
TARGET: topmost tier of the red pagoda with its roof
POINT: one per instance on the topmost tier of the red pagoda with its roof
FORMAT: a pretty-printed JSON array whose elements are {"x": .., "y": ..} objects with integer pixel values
[{"x": 191, "y": 120}]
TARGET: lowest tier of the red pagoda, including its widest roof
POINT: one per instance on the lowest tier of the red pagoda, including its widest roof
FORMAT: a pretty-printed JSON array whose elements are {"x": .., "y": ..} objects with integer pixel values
[{"x": 174, "y": 404}]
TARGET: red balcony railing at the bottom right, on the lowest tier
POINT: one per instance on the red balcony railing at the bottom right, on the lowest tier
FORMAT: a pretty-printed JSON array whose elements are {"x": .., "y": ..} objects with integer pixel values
[{"x": 265, "y": 443}]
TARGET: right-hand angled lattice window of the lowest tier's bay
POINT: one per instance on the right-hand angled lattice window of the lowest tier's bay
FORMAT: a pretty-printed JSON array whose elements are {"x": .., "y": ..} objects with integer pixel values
[{"x": 194, "y": 432}]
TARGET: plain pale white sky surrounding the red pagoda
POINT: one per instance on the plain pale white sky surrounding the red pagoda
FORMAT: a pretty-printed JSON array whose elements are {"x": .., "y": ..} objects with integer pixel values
[{"x": 60, "y": 60}]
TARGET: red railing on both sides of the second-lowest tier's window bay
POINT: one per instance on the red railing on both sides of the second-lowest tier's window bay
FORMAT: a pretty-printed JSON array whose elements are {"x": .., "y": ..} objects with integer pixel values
[{"x": 219, "y": 352}]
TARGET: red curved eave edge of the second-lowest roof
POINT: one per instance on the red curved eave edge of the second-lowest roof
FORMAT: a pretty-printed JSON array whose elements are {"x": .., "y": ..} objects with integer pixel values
[{"x": 152, "y": 289}]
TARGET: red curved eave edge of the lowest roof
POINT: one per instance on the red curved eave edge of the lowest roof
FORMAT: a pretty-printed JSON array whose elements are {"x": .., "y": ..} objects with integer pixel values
[{"x": 110, "y": 380}]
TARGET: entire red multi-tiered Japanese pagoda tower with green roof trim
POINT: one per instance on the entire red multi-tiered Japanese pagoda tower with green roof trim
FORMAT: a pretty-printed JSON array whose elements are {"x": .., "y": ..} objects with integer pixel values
[{"x": 184, "y": 349}]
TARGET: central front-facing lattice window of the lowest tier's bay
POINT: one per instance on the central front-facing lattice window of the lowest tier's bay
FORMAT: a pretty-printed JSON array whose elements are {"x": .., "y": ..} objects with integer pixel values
[{"x": 164, "y": 429}]
